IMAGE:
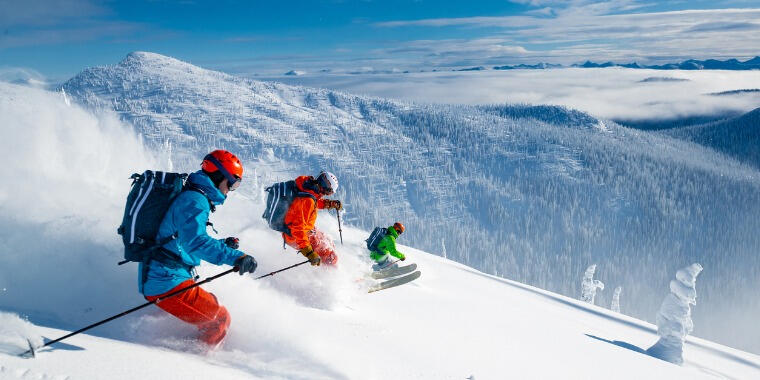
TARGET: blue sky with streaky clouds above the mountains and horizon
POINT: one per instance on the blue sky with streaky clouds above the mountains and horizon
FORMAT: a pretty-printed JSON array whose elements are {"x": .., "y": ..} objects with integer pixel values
[{"x": 58, "y": 38}]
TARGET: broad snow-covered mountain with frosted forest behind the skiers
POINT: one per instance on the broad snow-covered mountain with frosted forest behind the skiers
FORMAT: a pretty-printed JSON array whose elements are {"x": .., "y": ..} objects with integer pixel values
[{"x": 531, "y": 193}]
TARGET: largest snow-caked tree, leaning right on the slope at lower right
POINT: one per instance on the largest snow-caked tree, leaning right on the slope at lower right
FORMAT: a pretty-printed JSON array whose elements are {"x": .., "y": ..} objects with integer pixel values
[{"x": 674, "y": 319}]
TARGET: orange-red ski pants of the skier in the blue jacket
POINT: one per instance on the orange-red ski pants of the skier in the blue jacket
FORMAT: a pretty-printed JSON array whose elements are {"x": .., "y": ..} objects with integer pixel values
[{"x": 198, "y": 307}]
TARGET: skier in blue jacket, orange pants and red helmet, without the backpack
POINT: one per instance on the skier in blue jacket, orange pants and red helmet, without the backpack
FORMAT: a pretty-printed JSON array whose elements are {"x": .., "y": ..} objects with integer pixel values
[{"x": 184, "y": 225}]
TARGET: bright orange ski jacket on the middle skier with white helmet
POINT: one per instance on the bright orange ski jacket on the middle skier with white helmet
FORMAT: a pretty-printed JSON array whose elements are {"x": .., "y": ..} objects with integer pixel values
[{"x": 302, "y": 215}]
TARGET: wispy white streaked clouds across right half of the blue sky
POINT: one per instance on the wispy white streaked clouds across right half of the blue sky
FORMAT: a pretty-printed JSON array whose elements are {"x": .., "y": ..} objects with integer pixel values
[{"x": 563, "y": 30}]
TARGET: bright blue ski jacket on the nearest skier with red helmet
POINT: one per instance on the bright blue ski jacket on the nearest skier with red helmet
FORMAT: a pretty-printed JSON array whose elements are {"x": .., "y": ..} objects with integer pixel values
[{"x": 187, "y": 217}]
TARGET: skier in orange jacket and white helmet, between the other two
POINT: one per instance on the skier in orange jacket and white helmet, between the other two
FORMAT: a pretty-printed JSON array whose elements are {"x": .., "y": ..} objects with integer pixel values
[{"x": 301, "y": 217}]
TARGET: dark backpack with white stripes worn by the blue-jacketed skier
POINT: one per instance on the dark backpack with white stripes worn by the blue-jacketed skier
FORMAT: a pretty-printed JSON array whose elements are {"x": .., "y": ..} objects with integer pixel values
[{"x": 151, "y": 195}]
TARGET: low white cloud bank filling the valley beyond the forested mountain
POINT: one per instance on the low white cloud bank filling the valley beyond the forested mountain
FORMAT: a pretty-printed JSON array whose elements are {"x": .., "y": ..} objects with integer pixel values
[{"x": 610, "y": 93}]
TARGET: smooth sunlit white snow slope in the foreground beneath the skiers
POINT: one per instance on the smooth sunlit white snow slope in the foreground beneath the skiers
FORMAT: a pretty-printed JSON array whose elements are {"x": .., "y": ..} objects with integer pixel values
[{"x": 453, "y": 323}]
